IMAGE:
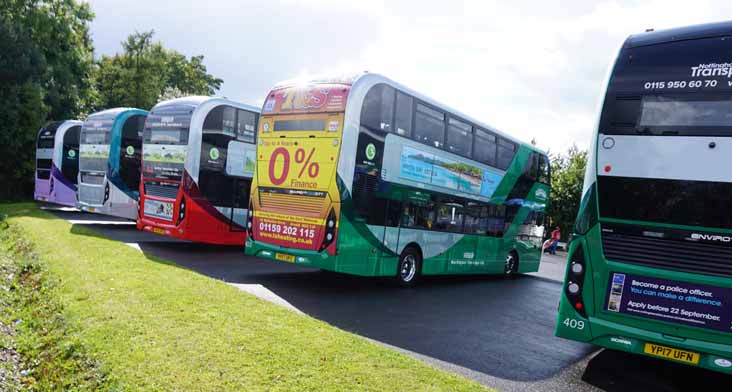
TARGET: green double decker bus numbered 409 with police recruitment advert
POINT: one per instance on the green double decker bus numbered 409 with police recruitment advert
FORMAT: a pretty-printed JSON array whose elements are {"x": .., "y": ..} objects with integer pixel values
[{"x": 650, "y": 263}]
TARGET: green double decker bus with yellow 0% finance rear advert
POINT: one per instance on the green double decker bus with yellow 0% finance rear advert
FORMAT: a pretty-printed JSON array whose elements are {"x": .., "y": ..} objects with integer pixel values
[{"x": 364, "y": 176}]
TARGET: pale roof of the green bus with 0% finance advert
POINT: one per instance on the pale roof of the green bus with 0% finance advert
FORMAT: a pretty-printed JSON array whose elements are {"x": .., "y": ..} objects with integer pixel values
[{"x": 367, "y": 80}]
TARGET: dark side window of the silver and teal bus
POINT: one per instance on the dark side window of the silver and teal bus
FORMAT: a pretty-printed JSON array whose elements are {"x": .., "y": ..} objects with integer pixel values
[{"x": 131, "y": 151}]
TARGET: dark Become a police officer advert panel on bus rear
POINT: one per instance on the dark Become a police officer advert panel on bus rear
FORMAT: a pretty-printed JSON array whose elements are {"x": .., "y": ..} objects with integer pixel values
[{"x": 673, "y": 301}]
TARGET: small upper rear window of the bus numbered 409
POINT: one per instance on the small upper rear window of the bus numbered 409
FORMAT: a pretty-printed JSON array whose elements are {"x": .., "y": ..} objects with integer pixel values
[{"x": 666, "y": 112}]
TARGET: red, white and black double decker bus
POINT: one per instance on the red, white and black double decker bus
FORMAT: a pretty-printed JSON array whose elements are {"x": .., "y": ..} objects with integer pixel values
[{"x": 199, "y": 155}]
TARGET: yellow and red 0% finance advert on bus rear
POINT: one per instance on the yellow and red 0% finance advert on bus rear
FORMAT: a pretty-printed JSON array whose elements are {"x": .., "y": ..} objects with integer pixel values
[{"x": 295, "y": 176}]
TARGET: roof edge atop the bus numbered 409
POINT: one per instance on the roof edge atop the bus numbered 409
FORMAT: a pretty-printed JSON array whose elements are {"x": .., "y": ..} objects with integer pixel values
[{"x": 708, "y": 30}]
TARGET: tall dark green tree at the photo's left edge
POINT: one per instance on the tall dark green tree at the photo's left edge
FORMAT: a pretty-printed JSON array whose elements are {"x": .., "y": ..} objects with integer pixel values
[{"x": 45, "y": 63}]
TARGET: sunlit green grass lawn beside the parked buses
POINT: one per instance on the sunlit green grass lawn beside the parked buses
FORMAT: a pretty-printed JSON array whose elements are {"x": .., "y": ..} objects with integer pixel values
[{"x": 152, "y": 325}]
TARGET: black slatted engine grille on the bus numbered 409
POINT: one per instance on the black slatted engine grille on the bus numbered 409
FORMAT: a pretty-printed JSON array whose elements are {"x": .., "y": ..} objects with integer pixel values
[{"x": 672, "y": 254}]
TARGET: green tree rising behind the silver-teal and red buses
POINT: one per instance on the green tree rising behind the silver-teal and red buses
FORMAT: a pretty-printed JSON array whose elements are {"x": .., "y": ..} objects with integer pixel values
[{"x": 145, "y": 71}]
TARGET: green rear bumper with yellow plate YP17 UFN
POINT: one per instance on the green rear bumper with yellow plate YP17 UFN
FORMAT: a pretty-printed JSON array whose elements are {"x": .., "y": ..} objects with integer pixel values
[{"x": 712, "y": 356}]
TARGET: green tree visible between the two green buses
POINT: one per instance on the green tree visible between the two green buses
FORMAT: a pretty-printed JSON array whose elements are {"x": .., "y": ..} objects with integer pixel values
[{"x": 568, "y": 172}]
